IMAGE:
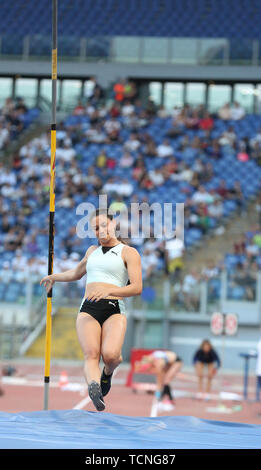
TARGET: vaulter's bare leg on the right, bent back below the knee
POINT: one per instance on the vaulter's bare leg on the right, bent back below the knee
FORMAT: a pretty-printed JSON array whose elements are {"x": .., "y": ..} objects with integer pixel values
[{"x": 112, "y": 338}]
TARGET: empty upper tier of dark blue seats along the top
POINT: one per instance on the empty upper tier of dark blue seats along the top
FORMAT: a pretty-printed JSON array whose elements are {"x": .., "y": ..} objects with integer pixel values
[{"x": 147, "y": 18}]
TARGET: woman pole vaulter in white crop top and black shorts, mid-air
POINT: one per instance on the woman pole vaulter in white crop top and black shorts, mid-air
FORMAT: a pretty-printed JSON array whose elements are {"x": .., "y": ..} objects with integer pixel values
[{"x": 113, "y": 272}]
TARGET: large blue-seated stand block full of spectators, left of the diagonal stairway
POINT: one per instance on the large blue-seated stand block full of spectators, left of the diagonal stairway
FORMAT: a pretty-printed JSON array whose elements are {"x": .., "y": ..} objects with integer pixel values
[{"x": 207, "y": 162}]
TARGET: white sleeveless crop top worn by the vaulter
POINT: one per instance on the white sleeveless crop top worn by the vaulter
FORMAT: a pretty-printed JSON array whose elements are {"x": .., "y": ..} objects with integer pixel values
[{"x": 107, "y": 267}]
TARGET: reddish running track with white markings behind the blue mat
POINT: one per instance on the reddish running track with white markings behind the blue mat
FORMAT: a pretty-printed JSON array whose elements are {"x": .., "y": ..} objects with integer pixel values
[{"x": 24, "y": 392}]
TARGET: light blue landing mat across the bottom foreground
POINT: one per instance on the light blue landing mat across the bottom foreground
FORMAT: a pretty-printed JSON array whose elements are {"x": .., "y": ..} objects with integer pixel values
[{"x": 78, "y": 429}]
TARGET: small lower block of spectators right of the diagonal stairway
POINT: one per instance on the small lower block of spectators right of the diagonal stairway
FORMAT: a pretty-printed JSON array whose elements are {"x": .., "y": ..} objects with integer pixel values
[{"x": 242, "y": 267}]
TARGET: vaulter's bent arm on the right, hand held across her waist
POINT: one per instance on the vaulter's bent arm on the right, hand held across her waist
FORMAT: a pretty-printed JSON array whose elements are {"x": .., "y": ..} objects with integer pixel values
[{"x": 132, "y": 259}]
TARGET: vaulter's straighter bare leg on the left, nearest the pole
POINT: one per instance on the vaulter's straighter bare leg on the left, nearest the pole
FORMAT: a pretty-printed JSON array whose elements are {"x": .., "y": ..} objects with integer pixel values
[{"x": 89, "y": 335}]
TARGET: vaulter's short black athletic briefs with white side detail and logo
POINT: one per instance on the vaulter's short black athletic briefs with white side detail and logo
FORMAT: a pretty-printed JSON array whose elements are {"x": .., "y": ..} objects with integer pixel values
[{"x": 102, "y": 309}]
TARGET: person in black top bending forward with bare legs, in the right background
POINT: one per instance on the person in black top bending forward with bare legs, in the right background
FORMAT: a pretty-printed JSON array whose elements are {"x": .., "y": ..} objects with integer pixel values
[{"x": 204, "y": 357}]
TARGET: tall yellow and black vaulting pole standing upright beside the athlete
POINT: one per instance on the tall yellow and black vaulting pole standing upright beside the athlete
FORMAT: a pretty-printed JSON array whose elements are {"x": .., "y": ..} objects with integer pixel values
[{"x": 48, "y": 333}]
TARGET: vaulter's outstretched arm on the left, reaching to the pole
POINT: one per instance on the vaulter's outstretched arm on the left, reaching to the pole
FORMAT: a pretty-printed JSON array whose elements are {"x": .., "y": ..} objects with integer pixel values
[{"x": 68, "y": 276}]
